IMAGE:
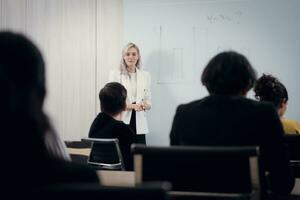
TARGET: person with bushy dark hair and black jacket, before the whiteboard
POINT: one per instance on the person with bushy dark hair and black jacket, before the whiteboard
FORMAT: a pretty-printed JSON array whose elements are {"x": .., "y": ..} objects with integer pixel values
[{"x": 227, "y": 118}]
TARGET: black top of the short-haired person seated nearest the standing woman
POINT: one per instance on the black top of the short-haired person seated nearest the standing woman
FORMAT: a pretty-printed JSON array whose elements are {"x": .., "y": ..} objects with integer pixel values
[{"x": 104, "y": 126}]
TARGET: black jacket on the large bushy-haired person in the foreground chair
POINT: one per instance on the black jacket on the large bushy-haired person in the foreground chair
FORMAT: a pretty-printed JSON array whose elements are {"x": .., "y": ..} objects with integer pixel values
[{"x": 226, "y": 120}]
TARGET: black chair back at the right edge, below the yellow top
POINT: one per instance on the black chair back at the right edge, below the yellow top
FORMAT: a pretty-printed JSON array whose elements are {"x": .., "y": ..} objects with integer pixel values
[{"x": 293, "y": 142}]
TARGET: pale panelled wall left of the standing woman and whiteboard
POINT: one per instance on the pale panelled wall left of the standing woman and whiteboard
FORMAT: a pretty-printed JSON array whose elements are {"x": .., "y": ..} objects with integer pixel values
[{"x": 80, "y": 41}]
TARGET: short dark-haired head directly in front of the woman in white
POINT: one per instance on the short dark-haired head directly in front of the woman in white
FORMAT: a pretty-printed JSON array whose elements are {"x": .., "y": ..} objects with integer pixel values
[{"x": 113, "y": 98}]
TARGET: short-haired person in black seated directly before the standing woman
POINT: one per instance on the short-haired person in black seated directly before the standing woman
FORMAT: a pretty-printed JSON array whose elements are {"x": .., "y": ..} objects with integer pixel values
[{"x": 108, "y": 123}]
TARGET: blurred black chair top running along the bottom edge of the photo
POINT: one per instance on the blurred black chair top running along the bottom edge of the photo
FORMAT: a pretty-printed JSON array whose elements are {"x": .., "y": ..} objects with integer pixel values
[{"x": 93, "y": 191}]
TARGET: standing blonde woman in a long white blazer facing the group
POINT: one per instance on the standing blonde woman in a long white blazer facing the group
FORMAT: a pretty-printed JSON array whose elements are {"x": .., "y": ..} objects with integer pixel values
[{"x": 137, "y": 82}]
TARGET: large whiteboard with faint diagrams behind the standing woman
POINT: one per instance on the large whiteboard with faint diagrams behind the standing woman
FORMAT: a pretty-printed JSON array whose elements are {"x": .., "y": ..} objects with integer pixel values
[{"x": 178, "y": 37}]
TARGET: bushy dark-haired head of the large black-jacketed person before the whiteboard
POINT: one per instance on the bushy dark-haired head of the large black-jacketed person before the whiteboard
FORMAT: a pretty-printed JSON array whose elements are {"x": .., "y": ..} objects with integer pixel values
[{"x": 228, "y": 73}]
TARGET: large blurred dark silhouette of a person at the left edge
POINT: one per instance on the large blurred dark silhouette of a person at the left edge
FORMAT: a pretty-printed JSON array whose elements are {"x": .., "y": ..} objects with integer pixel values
[{"x": 34, "y": 155}]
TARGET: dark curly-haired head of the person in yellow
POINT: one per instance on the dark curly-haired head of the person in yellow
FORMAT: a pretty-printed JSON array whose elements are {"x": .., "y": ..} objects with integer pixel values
[{"x": 269, "y": 88}]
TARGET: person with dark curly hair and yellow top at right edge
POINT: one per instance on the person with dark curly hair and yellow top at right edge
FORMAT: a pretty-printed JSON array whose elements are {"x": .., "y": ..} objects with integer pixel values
[{"x": 269, "y": 88}]
